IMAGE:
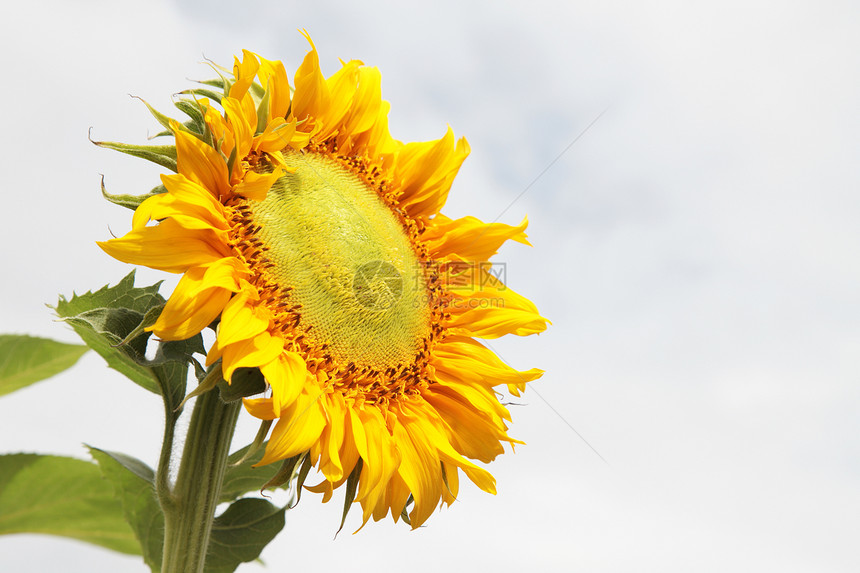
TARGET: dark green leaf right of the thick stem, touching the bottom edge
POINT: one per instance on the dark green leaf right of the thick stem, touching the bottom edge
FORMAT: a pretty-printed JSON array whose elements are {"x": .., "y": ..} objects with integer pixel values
[{"x": 241, "y": 532}]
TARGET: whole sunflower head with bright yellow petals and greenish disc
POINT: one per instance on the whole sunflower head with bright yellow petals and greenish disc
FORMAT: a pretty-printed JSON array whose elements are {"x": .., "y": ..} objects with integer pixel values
[{"x": 317, "y": 241}]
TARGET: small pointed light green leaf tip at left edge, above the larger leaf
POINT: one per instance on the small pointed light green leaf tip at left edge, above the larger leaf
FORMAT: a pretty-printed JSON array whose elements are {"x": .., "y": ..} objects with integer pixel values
[{"x": 26, "y": 359}]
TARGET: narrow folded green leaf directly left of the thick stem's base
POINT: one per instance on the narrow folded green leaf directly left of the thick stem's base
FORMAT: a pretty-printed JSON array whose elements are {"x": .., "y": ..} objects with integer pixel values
[{"x": 132, "y": 482}]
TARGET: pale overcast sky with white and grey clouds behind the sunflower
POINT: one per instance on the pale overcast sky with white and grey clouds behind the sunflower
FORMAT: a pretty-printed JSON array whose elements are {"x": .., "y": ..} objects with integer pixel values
[{"x": 697, "y": 249}]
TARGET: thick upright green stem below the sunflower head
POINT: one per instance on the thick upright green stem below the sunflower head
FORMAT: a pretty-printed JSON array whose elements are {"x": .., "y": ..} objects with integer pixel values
[{"x": 189, "y": 514}]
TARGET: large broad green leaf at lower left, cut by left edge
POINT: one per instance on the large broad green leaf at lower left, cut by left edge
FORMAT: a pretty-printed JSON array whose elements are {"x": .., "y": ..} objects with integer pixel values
[{"x": 61, "y": 496}]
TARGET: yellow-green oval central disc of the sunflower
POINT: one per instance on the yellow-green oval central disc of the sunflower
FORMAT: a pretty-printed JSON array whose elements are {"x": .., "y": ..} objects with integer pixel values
[{"x": 348, "y": 261}]
